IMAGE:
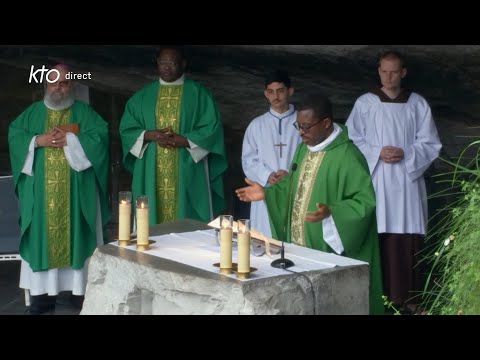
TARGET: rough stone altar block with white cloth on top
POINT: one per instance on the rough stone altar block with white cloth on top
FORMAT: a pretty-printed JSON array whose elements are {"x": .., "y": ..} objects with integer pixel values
[{"x": 177, "y": 276}]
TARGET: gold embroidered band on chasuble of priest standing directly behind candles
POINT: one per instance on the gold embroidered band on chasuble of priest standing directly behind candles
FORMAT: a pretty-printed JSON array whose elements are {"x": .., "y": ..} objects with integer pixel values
[{"x": 167, "y": 112}]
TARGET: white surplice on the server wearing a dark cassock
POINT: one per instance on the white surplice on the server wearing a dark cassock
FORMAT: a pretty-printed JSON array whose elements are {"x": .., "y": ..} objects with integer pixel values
[{"x": 400, "y": 187}]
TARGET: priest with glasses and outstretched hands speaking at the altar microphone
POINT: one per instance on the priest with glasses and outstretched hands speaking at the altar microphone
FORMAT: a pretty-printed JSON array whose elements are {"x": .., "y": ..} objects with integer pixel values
[{"x": 328, "y": 201}]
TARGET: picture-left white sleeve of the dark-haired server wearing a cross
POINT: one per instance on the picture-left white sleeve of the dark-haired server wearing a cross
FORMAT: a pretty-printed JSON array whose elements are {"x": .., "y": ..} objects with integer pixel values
[{"x": 252, "y": 165}]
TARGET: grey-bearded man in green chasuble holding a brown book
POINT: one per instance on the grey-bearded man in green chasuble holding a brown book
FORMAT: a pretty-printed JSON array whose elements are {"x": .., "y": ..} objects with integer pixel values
[{"x": 59, "y": 156}]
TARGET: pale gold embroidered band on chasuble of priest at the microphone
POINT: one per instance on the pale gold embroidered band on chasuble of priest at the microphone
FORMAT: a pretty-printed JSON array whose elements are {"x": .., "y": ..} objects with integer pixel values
[{"x": 308, "y": 174}]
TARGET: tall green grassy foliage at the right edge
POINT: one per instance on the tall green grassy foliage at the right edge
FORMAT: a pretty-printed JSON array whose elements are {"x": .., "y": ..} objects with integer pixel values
[{"x": 453, "y": 285}]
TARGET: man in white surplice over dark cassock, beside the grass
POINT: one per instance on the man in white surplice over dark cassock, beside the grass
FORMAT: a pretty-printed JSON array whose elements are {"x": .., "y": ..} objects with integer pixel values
[{"x": 394, "y": 129}]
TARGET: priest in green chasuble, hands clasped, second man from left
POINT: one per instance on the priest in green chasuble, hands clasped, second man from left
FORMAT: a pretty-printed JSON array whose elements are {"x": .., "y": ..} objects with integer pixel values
[{"x": 173, "y": 144}]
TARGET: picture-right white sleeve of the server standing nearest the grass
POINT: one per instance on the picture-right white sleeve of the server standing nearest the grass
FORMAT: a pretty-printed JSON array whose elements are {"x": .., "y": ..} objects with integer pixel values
[{"x": 426, "y": 146}]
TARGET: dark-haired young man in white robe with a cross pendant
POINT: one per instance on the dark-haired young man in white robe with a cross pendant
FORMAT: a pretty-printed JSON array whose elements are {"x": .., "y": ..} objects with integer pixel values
[{"x": 269, "y": 143}]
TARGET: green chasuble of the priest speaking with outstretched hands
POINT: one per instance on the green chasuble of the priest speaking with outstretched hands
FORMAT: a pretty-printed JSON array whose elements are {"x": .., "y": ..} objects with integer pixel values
[{"x": 338, "y": 176}]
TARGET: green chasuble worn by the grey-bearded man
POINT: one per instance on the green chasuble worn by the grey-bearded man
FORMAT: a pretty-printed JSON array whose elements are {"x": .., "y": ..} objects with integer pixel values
[{"x": 58, "y": 205}]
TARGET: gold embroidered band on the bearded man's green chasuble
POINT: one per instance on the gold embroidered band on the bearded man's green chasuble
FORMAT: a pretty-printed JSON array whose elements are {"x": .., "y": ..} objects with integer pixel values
[{"x": 57, "y": 196}]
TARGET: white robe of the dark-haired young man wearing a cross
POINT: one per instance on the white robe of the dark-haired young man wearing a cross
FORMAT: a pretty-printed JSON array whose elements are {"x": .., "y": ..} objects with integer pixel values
[{"x": 263, "y": 139}]
